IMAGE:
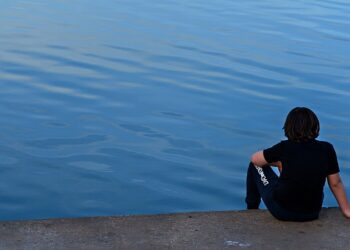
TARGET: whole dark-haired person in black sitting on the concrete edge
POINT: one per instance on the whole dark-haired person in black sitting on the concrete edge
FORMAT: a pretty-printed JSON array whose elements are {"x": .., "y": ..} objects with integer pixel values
[{"x": 304, "y": 163}]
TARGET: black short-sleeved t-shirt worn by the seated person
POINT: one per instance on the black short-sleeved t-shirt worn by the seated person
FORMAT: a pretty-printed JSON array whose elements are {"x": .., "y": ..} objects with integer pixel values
[{"x": 305, "y": 168}]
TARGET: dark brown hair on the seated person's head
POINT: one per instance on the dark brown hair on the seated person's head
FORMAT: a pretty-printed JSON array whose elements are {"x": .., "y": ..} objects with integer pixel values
[{"x": 301, "y": 125}]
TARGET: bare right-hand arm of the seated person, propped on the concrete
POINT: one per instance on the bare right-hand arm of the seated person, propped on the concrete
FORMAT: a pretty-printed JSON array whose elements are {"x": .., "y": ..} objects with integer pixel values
[{"x": 338, "y": 190}]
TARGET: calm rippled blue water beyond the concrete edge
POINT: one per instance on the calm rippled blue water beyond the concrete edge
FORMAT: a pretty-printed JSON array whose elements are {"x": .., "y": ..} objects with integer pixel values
[{"x": 136, "y": 107}]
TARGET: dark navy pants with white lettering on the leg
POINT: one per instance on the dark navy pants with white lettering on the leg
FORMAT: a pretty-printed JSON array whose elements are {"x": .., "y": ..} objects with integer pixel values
[{"x": 261, "y": 182}]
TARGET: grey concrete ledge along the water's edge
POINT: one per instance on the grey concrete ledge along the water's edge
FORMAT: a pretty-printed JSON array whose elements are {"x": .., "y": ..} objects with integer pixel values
[{"x": 210, "y": 230}]
